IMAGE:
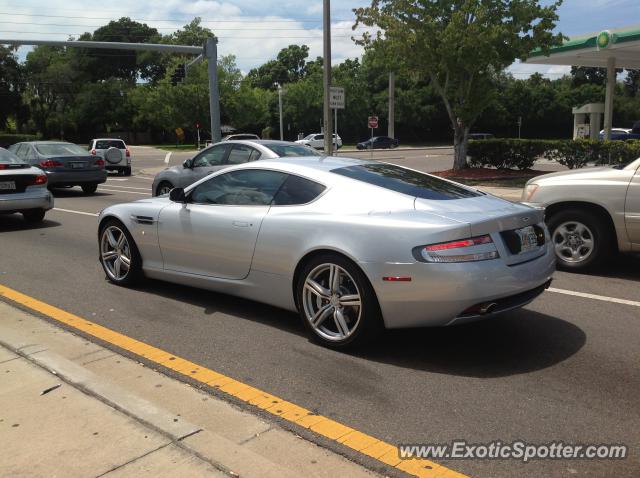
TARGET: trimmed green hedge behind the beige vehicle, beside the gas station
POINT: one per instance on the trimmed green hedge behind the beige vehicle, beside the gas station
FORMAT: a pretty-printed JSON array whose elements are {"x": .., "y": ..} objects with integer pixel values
[{"x": 522, "y": 153}]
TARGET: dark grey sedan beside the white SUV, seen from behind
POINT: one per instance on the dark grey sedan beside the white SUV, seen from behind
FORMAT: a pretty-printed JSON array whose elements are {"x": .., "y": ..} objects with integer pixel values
[{"x": 65, "y": 164}]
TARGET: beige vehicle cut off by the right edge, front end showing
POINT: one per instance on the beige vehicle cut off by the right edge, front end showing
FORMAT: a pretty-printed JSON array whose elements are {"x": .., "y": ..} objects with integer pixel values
[{"x": 591, "y": 212}]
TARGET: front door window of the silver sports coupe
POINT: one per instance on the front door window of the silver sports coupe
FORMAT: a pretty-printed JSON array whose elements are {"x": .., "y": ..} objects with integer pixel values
[{"x": 246, "y": 187}]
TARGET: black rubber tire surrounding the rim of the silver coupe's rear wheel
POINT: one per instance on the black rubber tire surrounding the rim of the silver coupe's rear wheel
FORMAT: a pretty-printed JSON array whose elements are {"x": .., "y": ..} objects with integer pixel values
[{"x": 370, "y": 324}]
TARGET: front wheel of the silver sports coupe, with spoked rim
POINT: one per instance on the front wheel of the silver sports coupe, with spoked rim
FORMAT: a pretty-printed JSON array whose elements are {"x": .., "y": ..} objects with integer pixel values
[{"x": 119, "y": 255}]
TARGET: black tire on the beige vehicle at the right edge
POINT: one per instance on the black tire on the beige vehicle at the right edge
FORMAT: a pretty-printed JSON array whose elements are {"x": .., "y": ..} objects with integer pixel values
[{"x": 597, "y": 230}]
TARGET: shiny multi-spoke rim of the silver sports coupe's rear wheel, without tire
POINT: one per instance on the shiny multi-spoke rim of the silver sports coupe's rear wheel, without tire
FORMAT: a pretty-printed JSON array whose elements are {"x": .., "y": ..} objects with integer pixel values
[{"x": 332, "y": 302}]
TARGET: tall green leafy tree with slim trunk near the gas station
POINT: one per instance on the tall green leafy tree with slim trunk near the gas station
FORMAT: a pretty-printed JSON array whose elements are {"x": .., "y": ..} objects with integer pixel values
[{"x": 460, "y": 46}]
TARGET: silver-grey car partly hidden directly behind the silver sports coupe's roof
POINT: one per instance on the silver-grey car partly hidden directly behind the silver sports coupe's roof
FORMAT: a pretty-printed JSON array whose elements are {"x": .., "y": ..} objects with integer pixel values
[{"x": 222, "y": 155}]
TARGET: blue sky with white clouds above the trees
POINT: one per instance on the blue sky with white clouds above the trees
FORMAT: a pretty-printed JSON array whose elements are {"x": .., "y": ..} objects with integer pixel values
[{"x": 255, "y": 30}]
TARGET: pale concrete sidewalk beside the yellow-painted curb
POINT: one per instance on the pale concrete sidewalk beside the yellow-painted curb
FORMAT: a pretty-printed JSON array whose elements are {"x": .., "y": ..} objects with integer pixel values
[{"x": 69, "y": 407}]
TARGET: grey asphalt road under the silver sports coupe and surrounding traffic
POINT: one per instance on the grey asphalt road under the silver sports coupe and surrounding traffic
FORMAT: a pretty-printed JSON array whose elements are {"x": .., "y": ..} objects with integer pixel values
[{"x": 565, "y": 368}]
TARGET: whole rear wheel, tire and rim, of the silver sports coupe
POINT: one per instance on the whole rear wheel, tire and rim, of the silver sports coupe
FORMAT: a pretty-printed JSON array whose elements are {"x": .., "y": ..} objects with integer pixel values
[{"x": 337, "y": 303}]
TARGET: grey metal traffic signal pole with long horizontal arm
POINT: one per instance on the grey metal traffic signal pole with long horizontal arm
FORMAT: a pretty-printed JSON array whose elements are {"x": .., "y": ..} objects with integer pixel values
[{"x": 210, "y": 51}]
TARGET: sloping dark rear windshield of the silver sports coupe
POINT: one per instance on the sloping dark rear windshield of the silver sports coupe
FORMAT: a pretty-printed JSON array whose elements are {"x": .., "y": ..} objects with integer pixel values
[{"x": 405, "y": 181}]
